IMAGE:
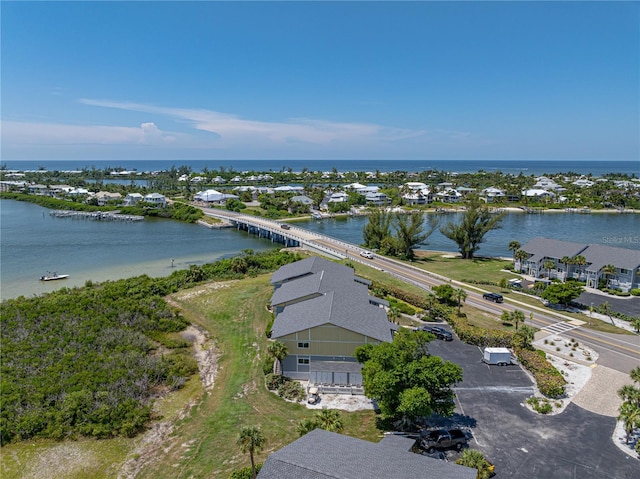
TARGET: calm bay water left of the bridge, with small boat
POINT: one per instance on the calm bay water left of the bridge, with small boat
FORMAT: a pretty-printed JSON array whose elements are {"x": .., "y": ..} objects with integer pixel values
[{"x": 33, "y": 243}]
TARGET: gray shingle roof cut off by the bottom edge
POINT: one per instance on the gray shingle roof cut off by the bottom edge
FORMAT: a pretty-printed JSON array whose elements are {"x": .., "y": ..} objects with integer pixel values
[{"x": 321, "y": 455}]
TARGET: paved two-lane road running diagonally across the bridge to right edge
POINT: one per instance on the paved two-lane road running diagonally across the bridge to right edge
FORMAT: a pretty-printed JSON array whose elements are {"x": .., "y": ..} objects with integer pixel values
[{"x": 617, "y": 351}]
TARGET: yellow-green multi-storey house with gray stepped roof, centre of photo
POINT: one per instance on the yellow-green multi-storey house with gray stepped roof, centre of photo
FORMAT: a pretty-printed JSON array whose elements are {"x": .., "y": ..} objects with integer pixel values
[{"x": 323, "y": 312}]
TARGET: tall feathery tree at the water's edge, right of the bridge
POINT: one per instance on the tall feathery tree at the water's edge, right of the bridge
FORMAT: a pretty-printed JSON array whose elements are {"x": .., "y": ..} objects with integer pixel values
[{"x": 477, "y": 221}]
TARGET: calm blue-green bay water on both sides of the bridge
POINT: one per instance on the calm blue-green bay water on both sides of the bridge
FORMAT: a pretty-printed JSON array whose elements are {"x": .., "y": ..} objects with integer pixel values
[{"x": 33, "y": 242}]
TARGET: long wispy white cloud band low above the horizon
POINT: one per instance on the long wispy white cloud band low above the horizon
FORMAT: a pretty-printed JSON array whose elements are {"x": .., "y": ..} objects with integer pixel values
[{"x": 231, "y": 134}]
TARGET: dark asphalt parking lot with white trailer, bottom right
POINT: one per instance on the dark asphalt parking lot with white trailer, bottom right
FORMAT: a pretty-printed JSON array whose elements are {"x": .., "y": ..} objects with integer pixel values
[{"x": 524, "y": 444}]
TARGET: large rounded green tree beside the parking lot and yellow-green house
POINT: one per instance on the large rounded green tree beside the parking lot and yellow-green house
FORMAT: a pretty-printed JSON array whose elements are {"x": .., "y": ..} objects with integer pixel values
[{"x": 405, "y": 380}]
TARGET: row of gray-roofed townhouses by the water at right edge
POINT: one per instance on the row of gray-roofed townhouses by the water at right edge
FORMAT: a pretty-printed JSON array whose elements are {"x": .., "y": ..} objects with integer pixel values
[{"x": 619, "y": 268}]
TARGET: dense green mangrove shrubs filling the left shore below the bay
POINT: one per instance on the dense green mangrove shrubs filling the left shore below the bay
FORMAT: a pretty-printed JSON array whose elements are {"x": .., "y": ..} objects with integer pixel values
[{"x": 84, "y": 361}]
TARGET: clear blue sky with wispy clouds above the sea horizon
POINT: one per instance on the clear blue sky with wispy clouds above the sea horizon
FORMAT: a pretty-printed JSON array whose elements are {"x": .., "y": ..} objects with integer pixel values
[{"x": 320, "y": 80}]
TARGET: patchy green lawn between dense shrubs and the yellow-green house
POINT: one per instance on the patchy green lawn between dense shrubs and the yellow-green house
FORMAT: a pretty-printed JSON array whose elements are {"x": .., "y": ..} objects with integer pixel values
[{"x": 204, "y": 443}]
